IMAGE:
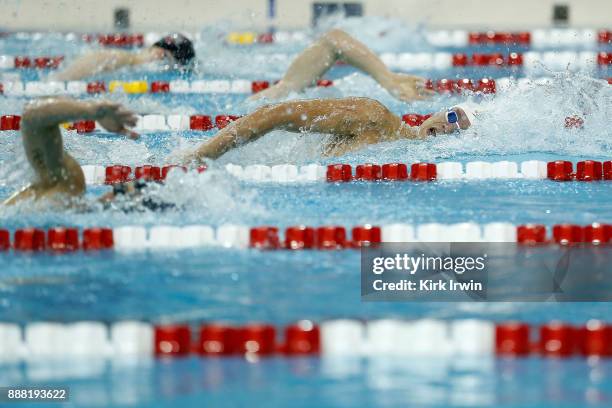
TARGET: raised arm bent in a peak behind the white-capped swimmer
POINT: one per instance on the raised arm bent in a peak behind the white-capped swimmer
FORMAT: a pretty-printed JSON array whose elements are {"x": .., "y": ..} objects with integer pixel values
[{"x": 336, "y": 45}]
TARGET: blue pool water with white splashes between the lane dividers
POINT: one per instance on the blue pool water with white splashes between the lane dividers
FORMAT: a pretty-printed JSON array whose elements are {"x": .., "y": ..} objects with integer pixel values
[{"x": 218, "y": 284}]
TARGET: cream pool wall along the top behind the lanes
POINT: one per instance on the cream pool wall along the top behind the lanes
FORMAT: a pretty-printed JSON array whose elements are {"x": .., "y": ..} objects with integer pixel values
[{"x": 90, "y": 15}]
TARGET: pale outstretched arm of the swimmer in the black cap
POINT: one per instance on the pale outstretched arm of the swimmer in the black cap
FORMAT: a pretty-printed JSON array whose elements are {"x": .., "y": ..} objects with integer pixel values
[{"x": 106, "y": 61}]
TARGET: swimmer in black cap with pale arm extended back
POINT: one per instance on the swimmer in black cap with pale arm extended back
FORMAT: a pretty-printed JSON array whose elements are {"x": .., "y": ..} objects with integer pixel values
[{"x": 175, "y": 49}]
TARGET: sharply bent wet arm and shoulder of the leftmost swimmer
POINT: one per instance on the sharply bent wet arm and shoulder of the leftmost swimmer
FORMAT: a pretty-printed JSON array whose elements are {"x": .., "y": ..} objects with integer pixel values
[{"x": 59, "y": 175}]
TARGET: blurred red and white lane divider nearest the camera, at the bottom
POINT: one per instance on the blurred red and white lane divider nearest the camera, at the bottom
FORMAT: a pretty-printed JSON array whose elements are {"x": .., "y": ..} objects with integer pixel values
[{"x": 341, "y": 337}]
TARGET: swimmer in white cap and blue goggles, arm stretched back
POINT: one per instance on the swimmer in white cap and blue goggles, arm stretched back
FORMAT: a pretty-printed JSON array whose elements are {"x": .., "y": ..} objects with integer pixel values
[{"x": 352, "y": 122}]
